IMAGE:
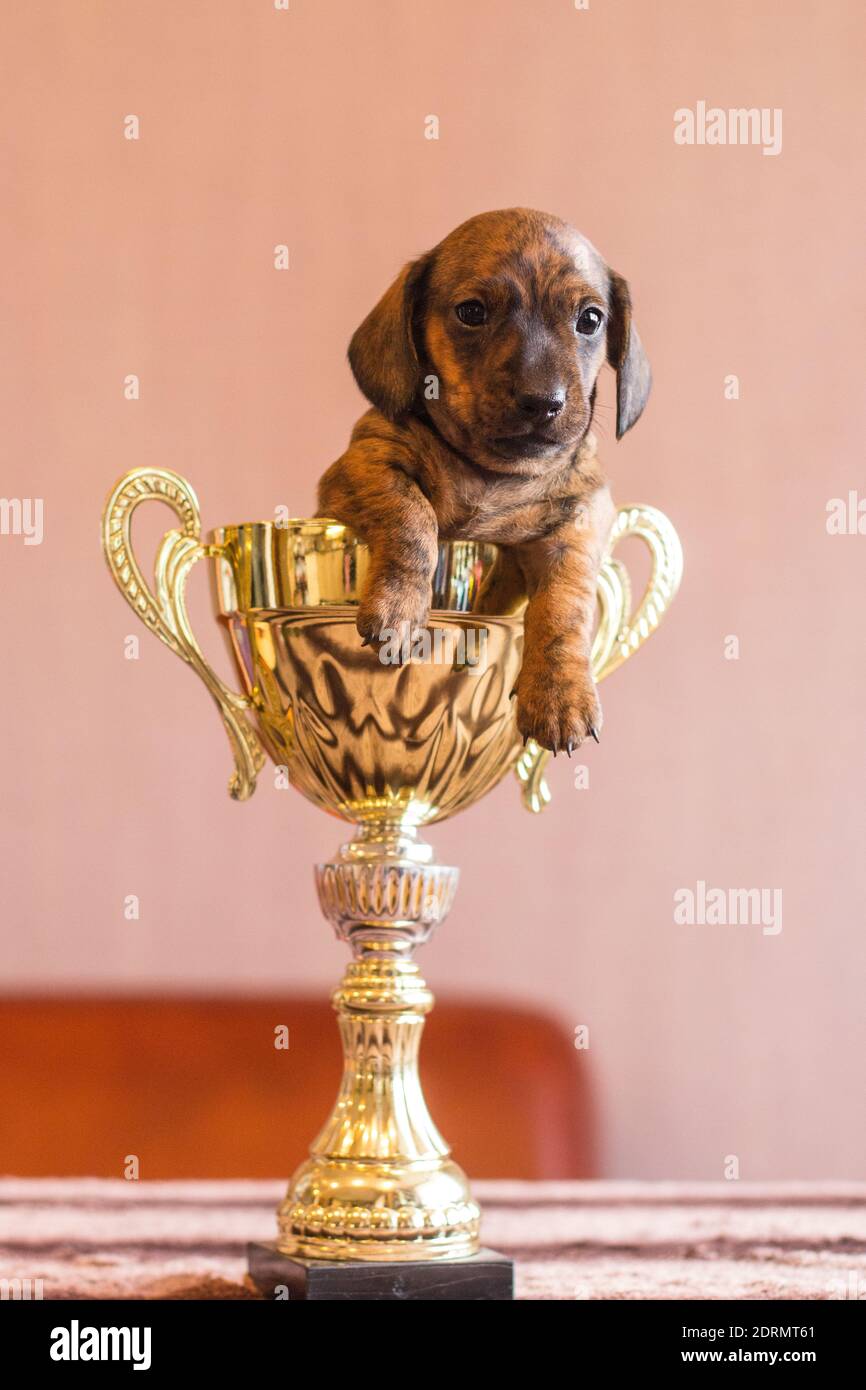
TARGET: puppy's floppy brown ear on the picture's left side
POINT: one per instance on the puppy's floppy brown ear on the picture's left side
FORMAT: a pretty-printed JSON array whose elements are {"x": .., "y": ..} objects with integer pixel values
[{"x": 383, "y": 352}]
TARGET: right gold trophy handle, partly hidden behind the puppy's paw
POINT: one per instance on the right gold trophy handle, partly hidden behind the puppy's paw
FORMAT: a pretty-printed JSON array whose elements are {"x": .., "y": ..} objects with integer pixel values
[{"x": 618, "y": 636}]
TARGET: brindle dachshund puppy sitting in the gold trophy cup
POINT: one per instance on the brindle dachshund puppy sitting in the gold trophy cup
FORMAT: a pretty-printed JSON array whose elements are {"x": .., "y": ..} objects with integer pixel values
[{"x": 512, "y": 318}]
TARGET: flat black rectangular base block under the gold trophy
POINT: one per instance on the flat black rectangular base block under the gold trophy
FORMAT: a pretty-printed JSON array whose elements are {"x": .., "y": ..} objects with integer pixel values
[{"x": 483, "y": 1277}]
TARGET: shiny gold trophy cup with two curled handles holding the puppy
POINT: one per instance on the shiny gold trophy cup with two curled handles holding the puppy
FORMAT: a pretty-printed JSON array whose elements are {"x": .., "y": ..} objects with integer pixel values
[{"x": 389, "y": 750}]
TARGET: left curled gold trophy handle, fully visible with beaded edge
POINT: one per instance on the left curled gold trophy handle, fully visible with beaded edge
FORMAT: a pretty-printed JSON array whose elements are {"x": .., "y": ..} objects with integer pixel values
[{"x": 166, "y": 614}]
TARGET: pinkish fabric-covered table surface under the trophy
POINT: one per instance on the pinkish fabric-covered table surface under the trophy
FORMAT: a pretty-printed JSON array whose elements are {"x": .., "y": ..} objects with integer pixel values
[{"x": 115, "y": 1239}]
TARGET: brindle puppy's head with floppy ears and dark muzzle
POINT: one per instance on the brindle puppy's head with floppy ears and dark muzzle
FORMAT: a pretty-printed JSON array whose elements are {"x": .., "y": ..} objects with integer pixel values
[{"x": 498, "y": 336}]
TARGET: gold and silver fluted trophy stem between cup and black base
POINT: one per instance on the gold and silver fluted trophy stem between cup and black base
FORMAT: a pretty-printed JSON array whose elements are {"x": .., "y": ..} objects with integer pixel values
[{"x": 380, "y": 1182}]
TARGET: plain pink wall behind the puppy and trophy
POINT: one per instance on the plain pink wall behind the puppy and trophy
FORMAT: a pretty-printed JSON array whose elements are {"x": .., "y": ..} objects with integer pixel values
[{"x": 155, "y": 258}]
